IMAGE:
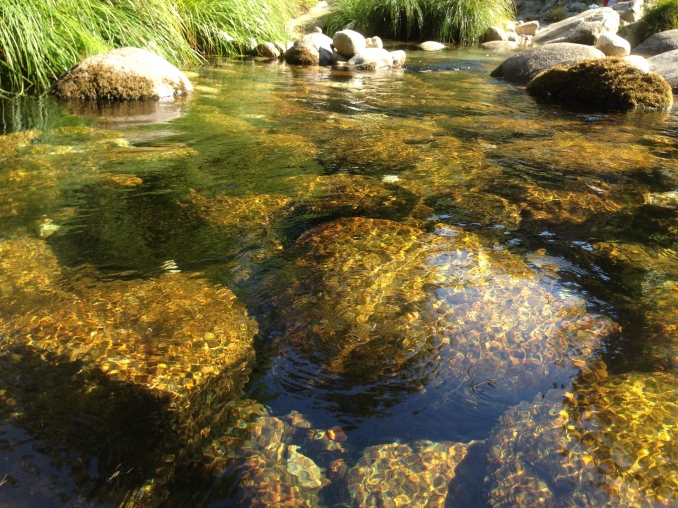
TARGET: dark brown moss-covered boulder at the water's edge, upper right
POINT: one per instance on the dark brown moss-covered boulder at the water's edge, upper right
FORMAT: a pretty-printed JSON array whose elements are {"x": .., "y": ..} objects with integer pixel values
[{"x": 609, "y": 82}]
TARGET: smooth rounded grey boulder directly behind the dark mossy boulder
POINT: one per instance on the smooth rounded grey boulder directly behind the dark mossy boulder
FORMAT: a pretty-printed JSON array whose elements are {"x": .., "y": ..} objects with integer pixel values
[{"x": 524, "y": 66}]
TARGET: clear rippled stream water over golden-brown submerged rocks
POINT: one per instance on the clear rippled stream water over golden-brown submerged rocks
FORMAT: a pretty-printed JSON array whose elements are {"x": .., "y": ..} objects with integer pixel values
[{"x": 307, "y": 287}]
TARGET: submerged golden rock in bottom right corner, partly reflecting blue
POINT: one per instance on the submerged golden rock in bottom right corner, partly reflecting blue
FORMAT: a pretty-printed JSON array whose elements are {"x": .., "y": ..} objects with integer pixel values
[{"x": 609, "y": 442}]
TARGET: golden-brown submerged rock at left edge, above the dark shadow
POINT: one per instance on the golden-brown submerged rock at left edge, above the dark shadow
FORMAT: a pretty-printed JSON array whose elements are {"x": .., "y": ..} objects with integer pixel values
[{"x": 170, "y": 334}]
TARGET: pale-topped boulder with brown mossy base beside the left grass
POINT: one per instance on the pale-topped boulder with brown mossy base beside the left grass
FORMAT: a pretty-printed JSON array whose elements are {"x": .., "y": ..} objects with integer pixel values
[{"x": 123, "y": 74}]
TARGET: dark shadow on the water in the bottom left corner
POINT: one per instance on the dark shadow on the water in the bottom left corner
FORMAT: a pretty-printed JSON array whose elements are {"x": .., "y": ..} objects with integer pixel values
[{"x": 109, "y": 436}]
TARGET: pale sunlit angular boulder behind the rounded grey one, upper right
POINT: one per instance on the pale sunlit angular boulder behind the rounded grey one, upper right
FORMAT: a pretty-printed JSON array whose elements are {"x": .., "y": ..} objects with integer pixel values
[{"x": 583, "y": 28}]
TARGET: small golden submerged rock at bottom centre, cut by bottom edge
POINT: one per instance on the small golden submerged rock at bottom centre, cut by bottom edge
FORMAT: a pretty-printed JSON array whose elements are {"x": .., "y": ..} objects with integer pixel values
[{"x": 413, "y": 475}]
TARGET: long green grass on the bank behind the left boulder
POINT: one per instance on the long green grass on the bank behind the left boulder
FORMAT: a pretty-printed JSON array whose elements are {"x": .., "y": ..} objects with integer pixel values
[{"x": 41, "y": 39}]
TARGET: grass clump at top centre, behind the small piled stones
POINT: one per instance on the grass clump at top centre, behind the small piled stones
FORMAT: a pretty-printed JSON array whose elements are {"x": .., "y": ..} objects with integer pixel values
[{"x": 461, "y": 21}]
